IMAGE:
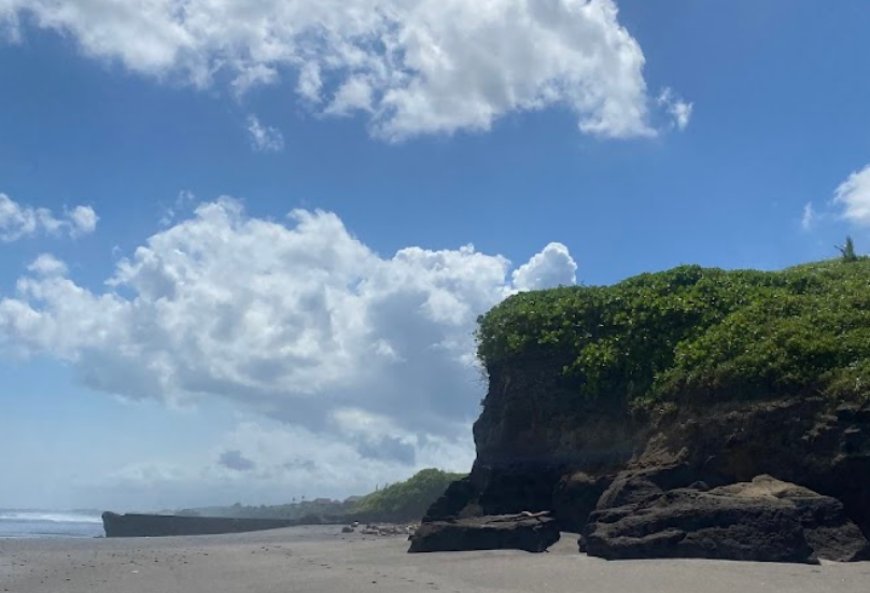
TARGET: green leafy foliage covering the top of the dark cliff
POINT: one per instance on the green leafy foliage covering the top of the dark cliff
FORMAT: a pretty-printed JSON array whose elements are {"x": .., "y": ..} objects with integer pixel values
[{"x": 695, "y": 333}]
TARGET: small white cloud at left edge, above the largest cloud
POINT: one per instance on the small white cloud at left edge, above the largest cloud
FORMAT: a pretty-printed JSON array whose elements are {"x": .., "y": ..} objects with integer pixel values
[{"x": 18, "y": 221}]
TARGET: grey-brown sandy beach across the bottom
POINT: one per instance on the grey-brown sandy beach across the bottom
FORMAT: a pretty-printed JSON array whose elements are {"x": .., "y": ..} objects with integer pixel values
[{"x": 320, "y": 559}]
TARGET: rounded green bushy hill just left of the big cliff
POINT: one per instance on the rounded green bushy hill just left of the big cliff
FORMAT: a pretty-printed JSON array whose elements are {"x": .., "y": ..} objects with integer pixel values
[{"x": 405, "y": 501}]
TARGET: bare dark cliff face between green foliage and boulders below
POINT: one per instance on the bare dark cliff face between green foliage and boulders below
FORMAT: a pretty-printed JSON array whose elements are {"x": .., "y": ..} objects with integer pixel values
[{"x": 540, "y": 447}]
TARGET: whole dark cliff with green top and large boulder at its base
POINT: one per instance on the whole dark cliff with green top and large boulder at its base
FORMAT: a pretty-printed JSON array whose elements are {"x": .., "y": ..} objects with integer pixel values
[{"x": 690, "y": 413}]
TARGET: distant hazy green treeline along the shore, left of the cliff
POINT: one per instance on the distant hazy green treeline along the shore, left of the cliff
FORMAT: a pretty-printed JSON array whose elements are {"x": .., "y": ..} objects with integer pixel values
[{"x": 403, "y": 501}]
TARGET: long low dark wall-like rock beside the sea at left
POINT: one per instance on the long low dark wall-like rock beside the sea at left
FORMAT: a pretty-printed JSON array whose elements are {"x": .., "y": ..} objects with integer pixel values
[{"x": 135, "y": 525}]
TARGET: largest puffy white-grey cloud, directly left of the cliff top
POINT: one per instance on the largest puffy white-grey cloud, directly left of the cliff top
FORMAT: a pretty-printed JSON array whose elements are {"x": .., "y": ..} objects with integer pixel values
[{"x": 299, "y": 322}]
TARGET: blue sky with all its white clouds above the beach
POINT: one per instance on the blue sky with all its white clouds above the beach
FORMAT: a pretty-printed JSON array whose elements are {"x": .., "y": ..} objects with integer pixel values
[{"x": 243, "y": 246}]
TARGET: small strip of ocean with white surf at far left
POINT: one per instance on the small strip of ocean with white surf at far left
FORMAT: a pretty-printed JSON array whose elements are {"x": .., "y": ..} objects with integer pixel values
[{"x": 49, "y": 524}]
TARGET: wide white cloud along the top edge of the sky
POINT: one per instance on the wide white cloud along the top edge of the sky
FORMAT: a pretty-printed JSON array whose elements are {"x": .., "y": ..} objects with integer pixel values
[{"x": 412, "y": 66}]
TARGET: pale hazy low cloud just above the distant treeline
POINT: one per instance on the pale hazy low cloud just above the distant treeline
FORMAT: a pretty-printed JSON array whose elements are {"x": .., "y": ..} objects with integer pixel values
[{"x": 266, "y": 462}]
